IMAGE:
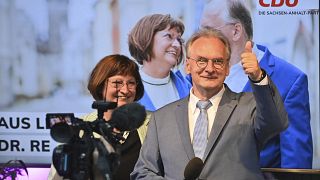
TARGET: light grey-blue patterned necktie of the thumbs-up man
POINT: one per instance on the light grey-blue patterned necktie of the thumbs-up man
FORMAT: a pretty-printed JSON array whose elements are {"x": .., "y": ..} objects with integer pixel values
[{"x": 200, "y": 134}]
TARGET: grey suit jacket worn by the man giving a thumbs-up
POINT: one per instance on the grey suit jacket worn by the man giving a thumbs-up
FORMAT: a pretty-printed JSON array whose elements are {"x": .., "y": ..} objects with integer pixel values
[{"x": 242, "y": 125}]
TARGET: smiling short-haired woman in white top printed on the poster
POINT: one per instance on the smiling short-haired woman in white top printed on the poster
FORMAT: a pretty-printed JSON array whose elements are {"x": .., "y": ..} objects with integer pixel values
[{"x": 156, "y": 43}]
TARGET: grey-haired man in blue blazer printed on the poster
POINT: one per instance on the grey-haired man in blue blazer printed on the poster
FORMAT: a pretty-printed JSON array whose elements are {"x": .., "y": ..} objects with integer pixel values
[{"x": 293, "y": 147}]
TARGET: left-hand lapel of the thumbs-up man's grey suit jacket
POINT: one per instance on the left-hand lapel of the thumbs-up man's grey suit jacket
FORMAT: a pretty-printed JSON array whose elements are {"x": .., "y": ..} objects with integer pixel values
[{"x": 183, "y": 126}]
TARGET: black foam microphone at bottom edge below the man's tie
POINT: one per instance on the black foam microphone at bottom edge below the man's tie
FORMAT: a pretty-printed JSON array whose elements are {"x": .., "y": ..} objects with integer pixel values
[{"x": 193, "y": 169}]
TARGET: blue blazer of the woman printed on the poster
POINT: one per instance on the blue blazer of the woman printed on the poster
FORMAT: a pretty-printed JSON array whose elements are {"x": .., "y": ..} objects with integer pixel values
[{"x": 183, "y": 86}]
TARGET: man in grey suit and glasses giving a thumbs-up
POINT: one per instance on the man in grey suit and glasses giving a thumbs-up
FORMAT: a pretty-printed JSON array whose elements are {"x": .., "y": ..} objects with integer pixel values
[{"x": 238, "y": 124}]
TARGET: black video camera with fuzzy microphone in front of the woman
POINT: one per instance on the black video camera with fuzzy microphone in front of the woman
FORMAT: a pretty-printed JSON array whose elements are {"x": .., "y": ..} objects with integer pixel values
[{"x": 75, "y": 158}]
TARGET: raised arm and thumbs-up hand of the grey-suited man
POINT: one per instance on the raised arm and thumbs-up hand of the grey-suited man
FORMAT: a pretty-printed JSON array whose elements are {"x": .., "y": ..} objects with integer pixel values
[{"x": 270, "y": 116}]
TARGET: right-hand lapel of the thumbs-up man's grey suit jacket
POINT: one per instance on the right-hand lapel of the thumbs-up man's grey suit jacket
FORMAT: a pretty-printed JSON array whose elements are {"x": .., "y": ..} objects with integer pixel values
[{"x": 225, "y": 109}]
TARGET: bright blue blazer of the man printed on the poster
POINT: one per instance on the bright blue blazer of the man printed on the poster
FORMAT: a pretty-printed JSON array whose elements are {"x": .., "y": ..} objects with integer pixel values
[{"x": 293, "y": 147}]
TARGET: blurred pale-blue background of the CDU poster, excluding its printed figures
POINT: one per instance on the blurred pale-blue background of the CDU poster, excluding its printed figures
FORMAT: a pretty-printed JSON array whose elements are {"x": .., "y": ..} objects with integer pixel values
[{"x": 48, "y": 49}]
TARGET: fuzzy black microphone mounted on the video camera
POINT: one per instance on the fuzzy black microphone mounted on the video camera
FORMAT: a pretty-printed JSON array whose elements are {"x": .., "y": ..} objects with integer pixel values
[{"x": 128, "y": 117}]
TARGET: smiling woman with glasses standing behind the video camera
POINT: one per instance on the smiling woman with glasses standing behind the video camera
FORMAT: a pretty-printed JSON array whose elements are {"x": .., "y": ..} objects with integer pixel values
[{"x": 116, "y": 78}]
